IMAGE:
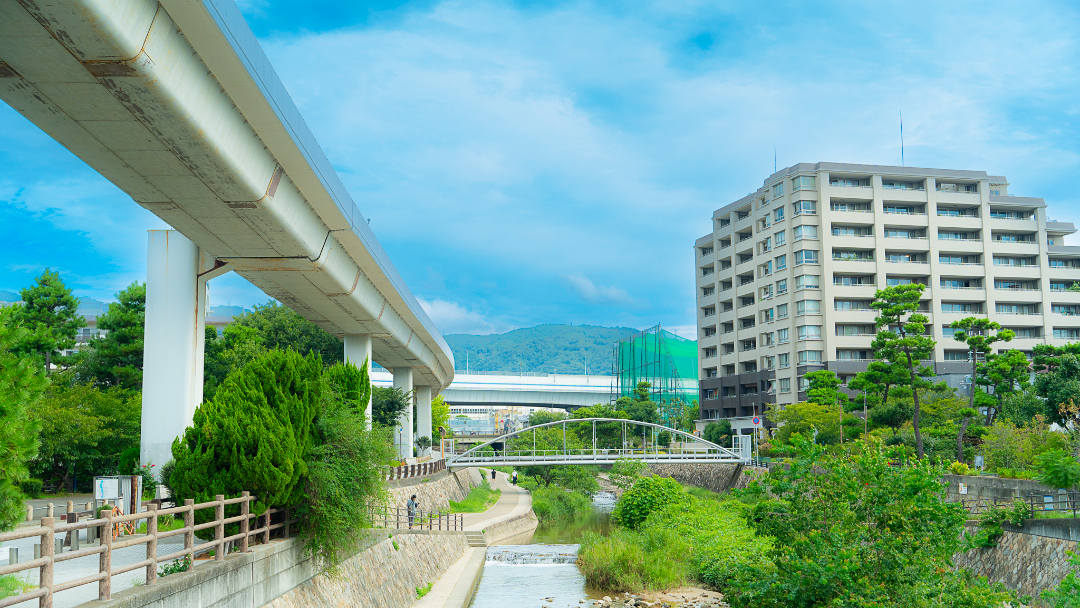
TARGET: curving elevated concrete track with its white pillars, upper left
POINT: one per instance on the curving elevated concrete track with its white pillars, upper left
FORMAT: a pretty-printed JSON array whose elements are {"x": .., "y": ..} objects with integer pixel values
[{"x": 177, "y": 104}]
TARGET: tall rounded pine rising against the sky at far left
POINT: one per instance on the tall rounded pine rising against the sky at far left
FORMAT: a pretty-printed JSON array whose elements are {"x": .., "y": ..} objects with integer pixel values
[{"x": 51, "y": 314}]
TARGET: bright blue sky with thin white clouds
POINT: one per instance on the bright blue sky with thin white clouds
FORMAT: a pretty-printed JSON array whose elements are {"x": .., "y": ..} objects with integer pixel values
[{"x": 552, "y": 163}]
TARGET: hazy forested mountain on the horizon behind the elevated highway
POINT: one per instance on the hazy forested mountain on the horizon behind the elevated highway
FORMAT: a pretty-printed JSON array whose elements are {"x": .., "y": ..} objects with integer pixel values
[{"x": 559, "y": 349}]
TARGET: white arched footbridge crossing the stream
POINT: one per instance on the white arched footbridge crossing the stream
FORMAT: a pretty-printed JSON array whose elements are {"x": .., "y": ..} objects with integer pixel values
[{"x": 597, "y": 441}]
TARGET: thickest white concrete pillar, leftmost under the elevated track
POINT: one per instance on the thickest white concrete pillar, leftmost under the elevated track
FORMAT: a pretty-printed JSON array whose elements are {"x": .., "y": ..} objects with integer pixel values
[{"x": 173, "y": 343}]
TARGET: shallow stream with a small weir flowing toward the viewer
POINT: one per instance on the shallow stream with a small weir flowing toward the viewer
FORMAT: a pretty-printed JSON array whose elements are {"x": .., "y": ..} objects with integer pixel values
[{"x": 543, "y": 571}]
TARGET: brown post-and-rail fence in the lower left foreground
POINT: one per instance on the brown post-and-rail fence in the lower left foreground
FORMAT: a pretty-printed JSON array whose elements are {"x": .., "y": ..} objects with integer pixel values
[{"x": 109, "y": 533}]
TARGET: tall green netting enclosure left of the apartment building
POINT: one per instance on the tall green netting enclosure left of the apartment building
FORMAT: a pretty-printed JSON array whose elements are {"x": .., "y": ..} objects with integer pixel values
[{"x": 661, "y": 359}]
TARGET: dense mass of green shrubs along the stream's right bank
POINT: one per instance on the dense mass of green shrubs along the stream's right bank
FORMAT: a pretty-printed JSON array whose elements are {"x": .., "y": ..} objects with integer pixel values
[{"x": 828, "y": 531}]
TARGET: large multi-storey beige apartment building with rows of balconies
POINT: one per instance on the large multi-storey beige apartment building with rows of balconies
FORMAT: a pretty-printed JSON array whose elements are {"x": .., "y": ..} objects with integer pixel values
[{"x": 786, "y": 279}]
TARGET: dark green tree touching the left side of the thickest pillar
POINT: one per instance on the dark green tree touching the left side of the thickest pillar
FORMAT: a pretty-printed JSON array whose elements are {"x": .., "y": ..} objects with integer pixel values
[{"x": 117, "y": 359}]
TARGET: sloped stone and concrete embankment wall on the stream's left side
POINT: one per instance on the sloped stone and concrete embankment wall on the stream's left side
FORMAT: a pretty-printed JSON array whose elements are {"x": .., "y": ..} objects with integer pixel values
[{"x": 385, "y": 574}]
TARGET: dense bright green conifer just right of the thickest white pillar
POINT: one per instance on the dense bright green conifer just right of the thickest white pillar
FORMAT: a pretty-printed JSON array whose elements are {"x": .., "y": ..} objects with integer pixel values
[{"x": 254, "y": 435}]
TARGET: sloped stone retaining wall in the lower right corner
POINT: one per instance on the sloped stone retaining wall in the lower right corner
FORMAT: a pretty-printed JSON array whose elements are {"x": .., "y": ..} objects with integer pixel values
[{"x": 1029, "y": 563}]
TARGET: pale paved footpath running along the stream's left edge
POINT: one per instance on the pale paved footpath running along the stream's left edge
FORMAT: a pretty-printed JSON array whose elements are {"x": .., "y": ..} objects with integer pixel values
[{"x": 455, "y": 587}]
